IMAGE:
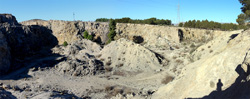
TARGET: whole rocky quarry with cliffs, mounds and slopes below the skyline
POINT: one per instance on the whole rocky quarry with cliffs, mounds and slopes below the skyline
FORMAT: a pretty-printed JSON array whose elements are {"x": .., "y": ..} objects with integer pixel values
[{"x": 142, "y": 62}]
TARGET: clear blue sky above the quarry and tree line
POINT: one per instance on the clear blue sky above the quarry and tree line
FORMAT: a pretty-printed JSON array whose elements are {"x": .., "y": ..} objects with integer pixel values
[{"x": 88, "y": 10}]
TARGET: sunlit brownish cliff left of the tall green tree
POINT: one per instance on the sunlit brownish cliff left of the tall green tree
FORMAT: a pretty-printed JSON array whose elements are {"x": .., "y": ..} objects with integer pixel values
[{"x": 71, "y": 31}]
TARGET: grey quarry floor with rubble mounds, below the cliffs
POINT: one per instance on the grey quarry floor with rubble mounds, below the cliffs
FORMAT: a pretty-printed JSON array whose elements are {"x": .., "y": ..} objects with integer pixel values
[{"x": 122, "y": 69}]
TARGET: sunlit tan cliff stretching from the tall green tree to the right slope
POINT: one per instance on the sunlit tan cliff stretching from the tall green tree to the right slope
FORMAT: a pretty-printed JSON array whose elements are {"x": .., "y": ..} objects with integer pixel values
[{"x": 154, "y": 35}]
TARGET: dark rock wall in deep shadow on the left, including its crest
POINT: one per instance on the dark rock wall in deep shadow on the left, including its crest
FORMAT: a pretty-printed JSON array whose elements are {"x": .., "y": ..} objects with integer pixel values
[{"x": 22, "y": 41}]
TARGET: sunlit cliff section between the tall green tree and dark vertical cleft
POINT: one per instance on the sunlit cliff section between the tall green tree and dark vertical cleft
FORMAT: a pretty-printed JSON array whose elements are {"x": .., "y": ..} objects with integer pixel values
[{"x": 151, "y": 35}]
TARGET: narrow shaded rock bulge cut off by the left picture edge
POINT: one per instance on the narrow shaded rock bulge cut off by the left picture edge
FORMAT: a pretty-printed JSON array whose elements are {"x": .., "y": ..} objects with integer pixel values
[{"x": 4, "y": 54}]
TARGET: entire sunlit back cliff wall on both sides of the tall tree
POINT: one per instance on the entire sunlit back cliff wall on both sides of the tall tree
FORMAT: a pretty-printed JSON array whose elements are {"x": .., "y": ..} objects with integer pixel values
[{"x": 152, "y": 35}]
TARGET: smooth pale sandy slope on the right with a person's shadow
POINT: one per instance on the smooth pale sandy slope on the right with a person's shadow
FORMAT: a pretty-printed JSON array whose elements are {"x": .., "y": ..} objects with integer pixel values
[{"x": 225, "y": 66}]
